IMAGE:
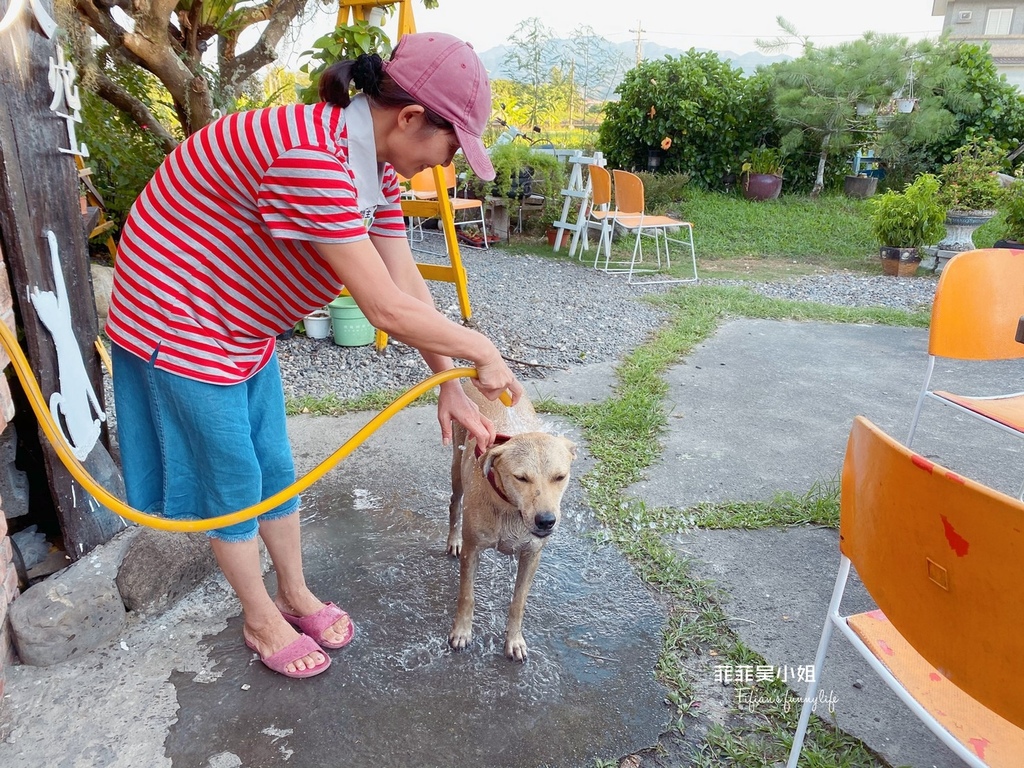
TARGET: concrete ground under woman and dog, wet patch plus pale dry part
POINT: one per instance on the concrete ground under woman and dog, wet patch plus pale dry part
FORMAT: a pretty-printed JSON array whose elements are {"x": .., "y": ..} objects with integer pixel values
[{"x": 182, "y": 690}]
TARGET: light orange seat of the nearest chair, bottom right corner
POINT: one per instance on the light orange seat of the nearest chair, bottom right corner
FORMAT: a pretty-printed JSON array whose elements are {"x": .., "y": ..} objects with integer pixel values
[{"x": 994, "y": 740}]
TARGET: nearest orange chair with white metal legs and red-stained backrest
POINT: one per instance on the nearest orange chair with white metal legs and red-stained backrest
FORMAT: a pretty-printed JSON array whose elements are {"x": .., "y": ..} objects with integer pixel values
[{"x": 941, "y": 557}]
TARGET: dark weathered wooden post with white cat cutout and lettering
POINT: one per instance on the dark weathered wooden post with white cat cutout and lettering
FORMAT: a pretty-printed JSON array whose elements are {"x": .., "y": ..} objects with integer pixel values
[{"x": 40, "y": 225}]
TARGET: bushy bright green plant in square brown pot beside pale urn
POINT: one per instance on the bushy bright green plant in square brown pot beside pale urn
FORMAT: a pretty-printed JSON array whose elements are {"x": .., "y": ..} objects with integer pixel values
[{"x": 905, "y": 222}]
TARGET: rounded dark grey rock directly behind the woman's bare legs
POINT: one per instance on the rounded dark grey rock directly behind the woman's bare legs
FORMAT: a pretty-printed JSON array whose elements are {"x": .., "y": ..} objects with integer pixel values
[{"x": 161, "y": 568}]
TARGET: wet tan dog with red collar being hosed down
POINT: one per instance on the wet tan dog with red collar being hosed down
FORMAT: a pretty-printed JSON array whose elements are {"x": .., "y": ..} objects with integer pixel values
[{"x": 508, "y": 498}]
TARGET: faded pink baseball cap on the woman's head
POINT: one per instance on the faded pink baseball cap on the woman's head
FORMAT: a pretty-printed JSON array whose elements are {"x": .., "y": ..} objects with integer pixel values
[{"x": 445, "y": 74}]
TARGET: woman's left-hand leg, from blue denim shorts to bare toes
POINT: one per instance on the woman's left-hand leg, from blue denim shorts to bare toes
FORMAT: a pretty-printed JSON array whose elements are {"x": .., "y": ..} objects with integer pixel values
[{"x": 192, "y": 457}]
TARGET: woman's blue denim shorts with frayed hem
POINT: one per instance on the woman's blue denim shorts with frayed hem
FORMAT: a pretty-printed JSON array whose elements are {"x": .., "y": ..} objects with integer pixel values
[{"x": 195, "y": 451}]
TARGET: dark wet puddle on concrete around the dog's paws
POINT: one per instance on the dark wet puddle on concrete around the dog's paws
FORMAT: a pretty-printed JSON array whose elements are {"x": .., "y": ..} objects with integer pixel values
[{"x": 399, "y": 696}]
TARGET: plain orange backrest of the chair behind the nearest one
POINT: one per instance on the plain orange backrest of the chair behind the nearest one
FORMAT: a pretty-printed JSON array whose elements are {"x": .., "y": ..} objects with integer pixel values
[{"x": 978, "y": 302}]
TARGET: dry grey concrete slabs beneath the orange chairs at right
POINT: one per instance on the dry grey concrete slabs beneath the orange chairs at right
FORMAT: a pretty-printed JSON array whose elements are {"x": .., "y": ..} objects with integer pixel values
[{"x": 765, "y": 407}]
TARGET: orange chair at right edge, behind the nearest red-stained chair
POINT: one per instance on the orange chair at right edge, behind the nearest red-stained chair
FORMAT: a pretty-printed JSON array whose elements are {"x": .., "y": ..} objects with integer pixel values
[{"x": 978, "y": 303}]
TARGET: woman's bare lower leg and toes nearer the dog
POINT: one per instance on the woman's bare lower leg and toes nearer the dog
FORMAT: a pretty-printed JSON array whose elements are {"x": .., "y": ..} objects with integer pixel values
[{"x": 284, "y": 543}]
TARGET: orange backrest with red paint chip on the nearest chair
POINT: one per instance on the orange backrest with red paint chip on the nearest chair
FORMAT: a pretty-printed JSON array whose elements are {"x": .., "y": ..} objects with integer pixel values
[{"x": 942, "y": 557}]
